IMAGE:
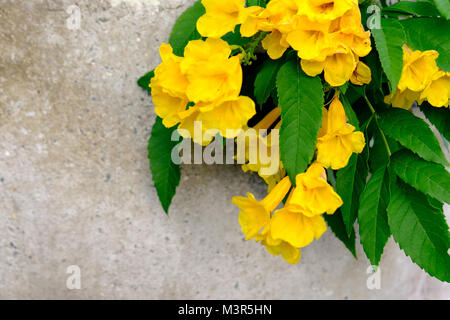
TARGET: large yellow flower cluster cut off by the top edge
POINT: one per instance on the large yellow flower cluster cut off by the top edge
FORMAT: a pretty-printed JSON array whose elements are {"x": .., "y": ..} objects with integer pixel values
[{"x": 327, "y": 34}]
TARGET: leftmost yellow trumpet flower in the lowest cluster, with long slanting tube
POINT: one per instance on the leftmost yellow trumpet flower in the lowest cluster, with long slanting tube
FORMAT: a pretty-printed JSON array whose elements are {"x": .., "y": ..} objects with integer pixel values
[{"x": 254, "y": 216}]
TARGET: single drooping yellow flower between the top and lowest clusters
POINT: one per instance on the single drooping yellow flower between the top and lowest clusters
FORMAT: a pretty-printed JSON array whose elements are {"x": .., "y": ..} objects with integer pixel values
[{"x": 337, "y": 139}]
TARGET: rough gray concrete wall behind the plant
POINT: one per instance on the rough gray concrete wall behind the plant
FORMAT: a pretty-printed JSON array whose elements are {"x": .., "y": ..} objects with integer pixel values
[{"x": 75, "y": 188}]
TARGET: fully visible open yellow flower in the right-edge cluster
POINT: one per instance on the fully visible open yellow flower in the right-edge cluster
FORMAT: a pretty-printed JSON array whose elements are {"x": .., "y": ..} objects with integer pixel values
[{"x": 418, "y": 69}]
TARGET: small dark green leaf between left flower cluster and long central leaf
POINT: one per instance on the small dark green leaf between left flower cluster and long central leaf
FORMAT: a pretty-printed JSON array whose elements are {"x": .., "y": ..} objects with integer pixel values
[{"x": 265, "y": 81}]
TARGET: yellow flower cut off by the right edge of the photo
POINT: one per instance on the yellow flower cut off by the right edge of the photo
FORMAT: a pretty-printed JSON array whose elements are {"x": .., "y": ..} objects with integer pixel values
[{"x": 437, "y": 92}]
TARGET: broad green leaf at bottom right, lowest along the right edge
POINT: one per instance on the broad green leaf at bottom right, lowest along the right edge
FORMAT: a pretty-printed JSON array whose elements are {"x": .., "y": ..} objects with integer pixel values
[{"x": 420, "y": 229}]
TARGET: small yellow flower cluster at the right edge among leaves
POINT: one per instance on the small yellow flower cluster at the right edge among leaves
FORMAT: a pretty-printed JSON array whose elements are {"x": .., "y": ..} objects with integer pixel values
[{"x": 421, "y": 80}]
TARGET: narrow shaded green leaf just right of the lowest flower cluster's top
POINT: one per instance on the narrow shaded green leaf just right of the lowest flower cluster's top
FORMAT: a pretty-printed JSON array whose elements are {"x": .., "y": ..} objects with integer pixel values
[{"x": 350, "y": 182}]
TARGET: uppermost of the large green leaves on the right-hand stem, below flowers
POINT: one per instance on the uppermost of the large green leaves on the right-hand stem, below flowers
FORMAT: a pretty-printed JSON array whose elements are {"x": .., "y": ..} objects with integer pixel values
[{"x": 412, "y": 133}]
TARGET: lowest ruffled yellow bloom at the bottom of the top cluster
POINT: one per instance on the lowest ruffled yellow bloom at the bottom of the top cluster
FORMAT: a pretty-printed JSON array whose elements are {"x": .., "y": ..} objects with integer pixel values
[{"x": 338, "y": 66}]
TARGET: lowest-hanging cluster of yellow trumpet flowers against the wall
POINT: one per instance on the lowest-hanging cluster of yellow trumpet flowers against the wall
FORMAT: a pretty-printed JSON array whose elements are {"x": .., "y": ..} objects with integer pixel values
[{"x": 284, "y": 231}]
